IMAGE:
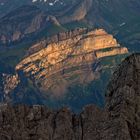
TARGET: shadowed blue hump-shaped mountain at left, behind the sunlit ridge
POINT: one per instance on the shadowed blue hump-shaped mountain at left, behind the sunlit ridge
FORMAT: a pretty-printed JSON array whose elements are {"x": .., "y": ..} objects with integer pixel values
[{"x": 24, "y": 22}]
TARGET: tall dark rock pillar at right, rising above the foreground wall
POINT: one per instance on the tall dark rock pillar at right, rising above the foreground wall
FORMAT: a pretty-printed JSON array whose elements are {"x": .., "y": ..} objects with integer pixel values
[{"x": 123, "y": 99}]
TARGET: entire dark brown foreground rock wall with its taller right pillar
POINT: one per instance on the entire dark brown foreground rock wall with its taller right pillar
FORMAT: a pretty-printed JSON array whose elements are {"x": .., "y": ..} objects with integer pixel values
[{"x": 119, "y": 120}]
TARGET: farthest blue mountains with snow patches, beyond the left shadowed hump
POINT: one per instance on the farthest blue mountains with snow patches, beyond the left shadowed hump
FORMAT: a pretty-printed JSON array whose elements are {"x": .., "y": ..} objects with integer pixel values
[{"x": 117, "y": 17}]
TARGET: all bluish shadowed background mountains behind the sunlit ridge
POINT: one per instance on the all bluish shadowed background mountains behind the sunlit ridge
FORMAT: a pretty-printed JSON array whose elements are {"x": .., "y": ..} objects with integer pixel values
[{"x": 116, "y": 17}]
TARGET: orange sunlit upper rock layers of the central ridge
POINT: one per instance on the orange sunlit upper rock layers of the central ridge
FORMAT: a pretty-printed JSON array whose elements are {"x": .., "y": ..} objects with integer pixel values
[{"x": 67, "y": 54}]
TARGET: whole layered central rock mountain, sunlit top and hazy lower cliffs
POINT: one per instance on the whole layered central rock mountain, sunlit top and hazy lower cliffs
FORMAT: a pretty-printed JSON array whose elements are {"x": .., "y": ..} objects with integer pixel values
[{"x": 70, "y": 61}]
